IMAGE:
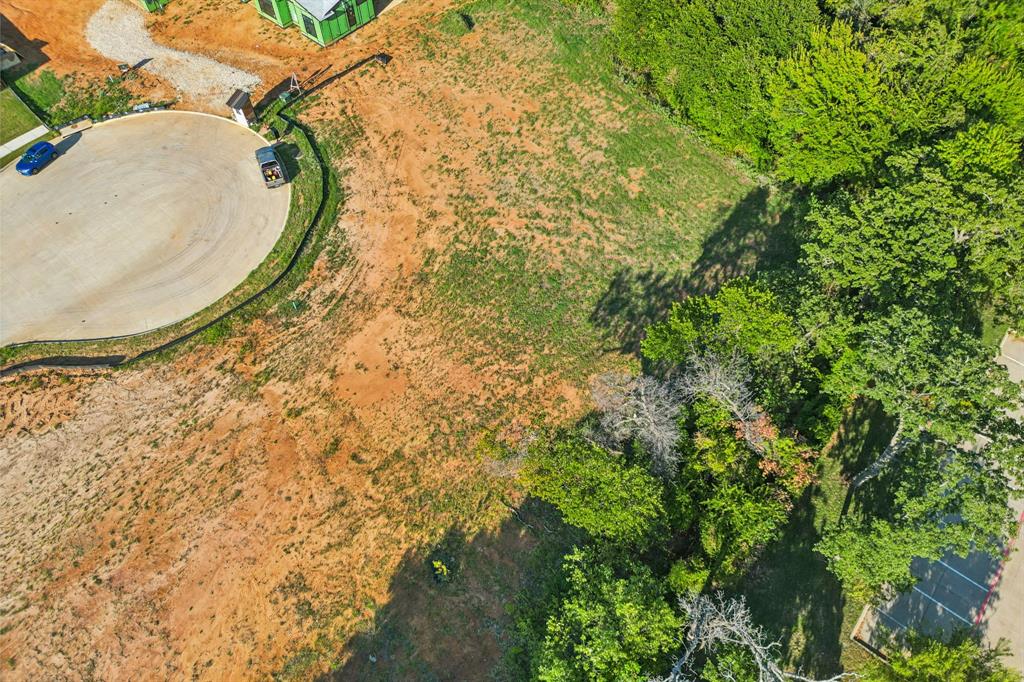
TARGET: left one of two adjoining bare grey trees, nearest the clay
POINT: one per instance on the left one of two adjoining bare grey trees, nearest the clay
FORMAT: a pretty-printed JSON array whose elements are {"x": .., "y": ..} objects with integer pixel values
[{"x": 643, "y": 408}]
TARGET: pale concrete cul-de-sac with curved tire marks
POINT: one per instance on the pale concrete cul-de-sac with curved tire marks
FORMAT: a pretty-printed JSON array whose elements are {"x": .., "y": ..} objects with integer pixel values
[{"x": 142, "y": 223}]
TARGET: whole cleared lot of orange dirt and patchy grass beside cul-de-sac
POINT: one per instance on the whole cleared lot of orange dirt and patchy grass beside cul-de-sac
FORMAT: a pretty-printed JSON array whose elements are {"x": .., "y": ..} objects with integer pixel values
[{"x": 269, "y": 502}]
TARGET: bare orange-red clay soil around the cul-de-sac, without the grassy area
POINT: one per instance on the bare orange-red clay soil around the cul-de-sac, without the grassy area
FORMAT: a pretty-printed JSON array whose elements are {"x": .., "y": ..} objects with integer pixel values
[{"x": 220, "y": 516}]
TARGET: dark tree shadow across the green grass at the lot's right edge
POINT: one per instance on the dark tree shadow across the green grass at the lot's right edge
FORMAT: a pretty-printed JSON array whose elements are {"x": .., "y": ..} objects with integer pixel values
[{"x": 753, "y": 236}]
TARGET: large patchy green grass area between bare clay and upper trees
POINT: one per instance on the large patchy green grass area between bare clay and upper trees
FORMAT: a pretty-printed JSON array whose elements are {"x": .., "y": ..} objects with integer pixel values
[{"x": 604, "y": 208}]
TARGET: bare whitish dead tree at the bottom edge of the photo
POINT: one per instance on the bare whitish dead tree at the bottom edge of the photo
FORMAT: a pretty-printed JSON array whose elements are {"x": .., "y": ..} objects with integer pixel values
[{"x": 713, "y": 622}]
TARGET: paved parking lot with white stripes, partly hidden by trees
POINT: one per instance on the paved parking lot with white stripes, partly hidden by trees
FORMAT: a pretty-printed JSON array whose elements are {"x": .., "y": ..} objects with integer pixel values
[{"x": 978, "y": 591}]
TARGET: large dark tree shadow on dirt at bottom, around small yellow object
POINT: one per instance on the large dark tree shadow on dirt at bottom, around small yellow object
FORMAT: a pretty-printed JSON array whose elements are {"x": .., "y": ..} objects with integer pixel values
[{"x": 454, "y": 625}]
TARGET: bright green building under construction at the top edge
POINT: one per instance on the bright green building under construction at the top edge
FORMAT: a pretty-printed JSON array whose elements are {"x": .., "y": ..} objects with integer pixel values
[{"x": 322, "y": 21}]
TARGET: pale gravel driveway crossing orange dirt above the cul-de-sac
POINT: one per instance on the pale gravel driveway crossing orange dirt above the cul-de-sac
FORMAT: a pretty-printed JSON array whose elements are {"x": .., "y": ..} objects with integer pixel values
[{"x": 118, "y": 31}]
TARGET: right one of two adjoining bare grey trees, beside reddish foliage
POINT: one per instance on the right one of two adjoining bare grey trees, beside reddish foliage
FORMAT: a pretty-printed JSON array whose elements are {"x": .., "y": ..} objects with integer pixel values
[{"x": 727, "y": 379}]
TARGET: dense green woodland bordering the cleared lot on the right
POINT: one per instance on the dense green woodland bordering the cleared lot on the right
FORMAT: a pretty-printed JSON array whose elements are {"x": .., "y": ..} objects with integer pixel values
[{"x": 900, "y": 125}]
